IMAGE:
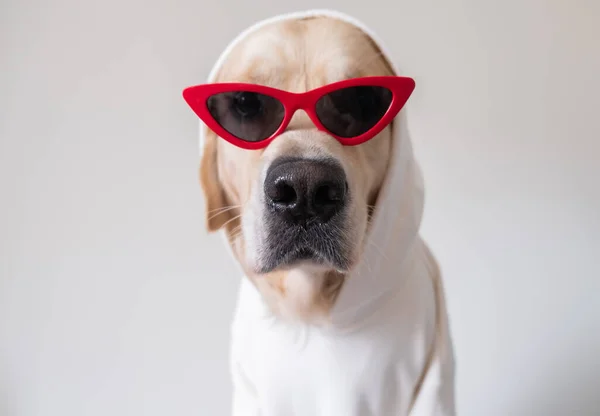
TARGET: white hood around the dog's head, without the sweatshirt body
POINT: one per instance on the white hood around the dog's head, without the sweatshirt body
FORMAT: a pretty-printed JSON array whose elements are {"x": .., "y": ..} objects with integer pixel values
[{"x": 397, "y": 217}]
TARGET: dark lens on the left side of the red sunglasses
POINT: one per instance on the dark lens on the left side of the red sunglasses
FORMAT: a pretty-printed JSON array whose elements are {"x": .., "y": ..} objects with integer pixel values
[{"x": 249, "y": 116}]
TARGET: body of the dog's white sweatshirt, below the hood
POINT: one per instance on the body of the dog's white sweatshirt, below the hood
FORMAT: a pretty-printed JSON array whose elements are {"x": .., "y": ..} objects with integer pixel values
[{"x": 373, "y": 369}]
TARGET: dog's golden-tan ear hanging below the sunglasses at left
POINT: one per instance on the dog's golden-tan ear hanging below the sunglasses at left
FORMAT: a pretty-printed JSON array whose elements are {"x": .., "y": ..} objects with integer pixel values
[{"x": 216, "y": 205}]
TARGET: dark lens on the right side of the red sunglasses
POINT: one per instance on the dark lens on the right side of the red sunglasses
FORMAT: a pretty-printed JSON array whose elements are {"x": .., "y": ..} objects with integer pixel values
[{"x": 352, "y": 111}]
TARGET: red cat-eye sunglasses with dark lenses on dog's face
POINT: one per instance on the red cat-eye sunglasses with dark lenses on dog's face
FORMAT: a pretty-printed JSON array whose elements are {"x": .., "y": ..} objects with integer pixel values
[{"x": 250, "y": 116}]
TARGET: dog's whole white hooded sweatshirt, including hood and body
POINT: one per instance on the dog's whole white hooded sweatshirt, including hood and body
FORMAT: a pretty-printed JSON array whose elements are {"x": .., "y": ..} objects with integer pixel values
[{"x": 388, "y": 350}]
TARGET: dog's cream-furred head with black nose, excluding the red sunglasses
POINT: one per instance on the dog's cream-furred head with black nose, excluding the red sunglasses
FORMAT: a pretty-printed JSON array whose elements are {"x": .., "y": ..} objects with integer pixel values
[{"x": 296, "y": 213}]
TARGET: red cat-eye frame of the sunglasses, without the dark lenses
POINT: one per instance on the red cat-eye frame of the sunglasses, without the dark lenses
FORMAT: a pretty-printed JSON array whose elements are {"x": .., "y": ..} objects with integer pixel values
[{"x": 198, "y": 95}]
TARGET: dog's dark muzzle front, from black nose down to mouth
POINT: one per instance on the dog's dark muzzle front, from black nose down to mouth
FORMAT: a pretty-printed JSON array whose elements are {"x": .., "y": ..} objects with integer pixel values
[{"x": 306, "y": 202}]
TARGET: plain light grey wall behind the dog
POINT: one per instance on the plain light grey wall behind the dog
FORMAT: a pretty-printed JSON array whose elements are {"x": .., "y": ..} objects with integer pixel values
[{"x": 114, "y": 301}]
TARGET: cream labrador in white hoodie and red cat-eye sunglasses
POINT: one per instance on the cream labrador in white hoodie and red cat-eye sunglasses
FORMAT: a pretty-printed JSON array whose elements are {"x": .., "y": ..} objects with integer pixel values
[{"x": 307, "y": 168}]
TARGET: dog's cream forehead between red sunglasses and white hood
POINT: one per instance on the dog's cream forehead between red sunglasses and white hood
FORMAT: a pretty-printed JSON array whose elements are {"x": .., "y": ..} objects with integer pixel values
[{"x": 303, "y": 55}]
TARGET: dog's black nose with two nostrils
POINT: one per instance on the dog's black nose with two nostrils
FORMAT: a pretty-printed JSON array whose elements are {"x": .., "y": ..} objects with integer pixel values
[{"x": 305, "y": 190}]
